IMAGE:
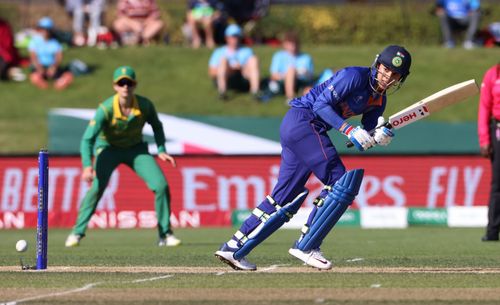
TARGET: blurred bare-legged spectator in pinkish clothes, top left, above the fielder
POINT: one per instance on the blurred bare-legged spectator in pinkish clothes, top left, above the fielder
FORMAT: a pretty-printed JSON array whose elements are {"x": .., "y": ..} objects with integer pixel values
[{"x": 138, "y": 21}]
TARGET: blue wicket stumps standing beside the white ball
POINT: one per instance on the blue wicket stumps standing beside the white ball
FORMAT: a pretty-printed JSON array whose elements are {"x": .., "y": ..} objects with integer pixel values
[{"x": 42, "y": 222}]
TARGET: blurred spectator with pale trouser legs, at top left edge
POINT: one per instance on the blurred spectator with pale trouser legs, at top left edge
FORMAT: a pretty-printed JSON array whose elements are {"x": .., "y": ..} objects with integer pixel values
[{"x": 78, "y": 10}]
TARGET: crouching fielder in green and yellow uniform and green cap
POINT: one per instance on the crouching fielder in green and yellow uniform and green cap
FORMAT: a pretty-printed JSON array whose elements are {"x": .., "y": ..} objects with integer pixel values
[{"x": 115, "y": 137}]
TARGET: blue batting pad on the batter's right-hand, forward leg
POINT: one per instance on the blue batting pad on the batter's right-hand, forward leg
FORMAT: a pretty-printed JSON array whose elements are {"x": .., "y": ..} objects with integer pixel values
[{"x": 336, "y": 203}]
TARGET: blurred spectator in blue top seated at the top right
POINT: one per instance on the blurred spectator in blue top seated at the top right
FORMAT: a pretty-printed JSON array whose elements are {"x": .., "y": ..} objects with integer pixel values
[{"x": 458, "y": 15}]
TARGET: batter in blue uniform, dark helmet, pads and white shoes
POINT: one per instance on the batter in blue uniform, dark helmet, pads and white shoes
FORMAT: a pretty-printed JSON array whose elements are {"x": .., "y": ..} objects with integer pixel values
[{"x": 306, "y": 149}]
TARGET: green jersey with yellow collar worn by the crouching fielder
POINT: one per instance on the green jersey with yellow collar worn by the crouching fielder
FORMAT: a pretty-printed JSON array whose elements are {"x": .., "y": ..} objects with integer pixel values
[{"x": 110, "y": 128}]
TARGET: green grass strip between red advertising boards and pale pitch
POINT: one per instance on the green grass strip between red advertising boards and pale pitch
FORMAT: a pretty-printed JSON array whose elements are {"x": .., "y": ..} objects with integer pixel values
[{"x": 415, "y": 247}]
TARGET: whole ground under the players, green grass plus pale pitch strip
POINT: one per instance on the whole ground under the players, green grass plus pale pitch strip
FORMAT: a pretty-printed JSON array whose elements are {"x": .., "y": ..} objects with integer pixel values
[{"x": 412, "y": 266}]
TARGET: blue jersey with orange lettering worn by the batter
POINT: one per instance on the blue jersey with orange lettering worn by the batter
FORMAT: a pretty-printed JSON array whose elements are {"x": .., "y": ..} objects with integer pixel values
[{"x": 347, "y": 93}]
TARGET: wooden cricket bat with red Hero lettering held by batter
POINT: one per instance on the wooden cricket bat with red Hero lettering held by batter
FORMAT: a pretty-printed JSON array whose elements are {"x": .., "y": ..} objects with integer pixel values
[{"x": 431, "y": 104}]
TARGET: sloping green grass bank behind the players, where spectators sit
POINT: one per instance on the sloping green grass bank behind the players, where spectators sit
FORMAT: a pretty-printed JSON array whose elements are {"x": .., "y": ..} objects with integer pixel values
[{"x": 175, "y": 78}]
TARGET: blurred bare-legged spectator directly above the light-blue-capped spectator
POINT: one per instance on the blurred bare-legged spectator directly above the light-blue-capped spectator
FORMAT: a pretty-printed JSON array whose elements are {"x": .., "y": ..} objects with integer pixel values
[{"x": 202, "y": 14}]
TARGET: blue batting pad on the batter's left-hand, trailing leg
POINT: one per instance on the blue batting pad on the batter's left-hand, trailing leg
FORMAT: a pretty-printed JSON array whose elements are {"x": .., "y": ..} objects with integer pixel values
[{"x": 277, "y": 219}]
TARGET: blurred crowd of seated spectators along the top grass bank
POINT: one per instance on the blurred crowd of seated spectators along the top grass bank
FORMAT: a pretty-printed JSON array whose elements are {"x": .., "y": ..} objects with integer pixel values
[{"x": 221, "y": 25}]
